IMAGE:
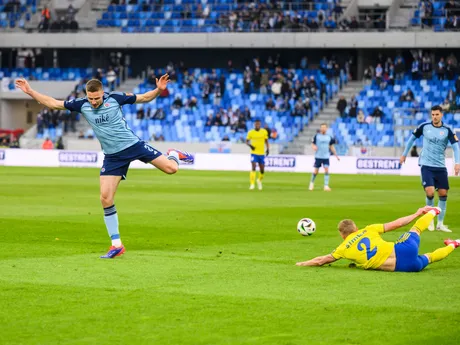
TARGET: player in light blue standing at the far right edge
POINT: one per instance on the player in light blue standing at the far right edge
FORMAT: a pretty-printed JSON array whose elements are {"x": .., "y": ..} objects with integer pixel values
[{"x": 436, "y": 137}]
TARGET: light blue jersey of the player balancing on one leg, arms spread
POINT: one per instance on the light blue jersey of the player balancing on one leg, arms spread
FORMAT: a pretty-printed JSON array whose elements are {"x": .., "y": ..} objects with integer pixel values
[{"x": 107, "y": 121}]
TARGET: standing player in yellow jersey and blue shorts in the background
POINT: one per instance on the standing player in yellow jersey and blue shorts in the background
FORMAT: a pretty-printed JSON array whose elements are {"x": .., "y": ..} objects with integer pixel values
[{"x": 257, "y": 140}]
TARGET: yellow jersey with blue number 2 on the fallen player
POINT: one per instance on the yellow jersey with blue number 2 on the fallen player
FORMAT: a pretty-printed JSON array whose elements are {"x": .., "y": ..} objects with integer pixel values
[{"x": 365, "y": 247}]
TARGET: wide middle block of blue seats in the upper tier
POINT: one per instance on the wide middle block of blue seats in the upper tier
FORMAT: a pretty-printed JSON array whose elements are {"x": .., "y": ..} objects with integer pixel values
[{"x": 221, "y": 16}]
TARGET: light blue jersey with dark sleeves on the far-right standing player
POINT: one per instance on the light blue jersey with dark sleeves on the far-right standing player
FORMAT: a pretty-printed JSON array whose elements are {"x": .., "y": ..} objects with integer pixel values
[{"x": 435, "y": 142}]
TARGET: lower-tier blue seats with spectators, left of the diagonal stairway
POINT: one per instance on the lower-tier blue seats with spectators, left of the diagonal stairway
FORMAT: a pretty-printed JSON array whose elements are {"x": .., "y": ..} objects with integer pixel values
[{"x": 198, "y": 109}]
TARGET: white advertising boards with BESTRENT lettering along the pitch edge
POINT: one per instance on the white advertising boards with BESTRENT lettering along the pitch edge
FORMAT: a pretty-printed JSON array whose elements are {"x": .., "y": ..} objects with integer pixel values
[{"x": 220, "y": 162}]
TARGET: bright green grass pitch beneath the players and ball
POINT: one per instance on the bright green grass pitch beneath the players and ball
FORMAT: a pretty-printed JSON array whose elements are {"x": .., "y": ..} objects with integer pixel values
[{"x": 210, "y": 262}]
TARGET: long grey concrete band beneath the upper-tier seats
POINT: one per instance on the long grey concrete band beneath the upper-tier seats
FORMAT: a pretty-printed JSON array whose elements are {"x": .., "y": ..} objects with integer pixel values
[{"x": 418, "y": 39}]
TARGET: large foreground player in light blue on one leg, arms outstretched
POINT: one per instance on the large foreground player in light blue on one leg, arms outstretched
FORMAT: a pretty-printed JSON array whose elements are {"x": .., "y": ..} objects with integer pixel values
[{"x": 120, "y": 145}]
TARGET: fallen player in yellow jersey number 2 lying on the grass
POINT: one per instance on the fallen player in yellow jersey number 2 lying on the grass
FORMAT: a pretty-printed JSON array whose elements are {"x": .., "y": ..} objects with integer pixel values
[{"x": 368, "y": 250}]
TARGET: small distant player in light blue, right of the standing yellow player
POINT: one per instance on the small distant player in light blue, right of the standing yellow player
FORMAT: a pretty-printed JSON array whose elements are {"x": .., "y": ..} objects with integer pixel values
[{"x": 323, "y": 144}]
